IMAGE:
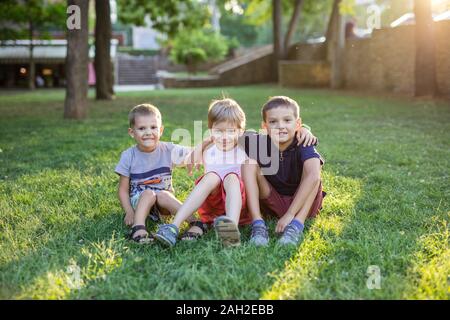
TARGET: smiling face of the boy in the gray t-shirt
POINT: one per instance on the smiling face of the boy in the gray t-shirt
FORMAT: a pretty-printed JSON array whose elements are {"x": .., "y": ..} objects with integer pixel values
[{"x": 147, "y": 131}]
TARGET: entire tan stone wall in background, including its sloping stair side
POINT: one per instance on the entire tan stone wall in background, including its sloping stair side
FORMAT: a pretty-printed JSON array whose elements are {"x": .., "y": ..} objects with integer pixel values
[{"x": 383, "y": 63}]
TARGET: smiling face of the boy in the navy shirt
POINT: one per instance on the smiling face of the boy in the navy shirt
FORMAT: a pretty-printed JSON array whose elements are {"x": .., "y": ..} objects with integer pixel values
[{"x": 281, "y": 125}]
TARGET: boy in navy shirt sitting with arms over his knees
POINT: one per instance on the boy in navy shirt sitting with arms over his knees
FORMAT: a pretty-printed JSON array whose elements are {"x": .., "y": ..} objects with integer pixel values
[{"x": 282, "y": 177}]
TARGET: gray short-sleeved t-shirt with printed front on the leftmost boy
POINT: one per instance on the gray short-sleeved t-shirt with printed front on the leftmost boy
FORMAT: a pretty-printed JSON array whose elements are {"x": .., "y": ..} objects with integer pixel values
[{"x": 151, "y": 170}]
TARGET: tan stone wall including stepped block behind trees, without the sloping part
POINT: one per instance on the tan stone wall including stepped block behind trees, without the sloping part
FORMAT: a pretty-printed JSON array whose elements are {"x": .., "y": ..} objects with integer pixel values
[{"x": 383, "y": 63}]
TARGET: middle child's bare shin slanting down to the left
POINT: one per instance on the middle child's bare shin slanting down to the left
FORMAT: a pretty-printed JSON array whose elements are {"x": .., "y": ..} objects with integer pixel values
[{"x": 201, "y": 191}]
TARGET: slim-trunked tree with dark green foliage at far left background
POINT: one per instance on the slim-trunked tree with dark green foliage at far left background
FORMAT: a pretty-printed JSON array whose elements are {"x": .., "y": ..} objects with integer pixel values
[{"x": 25, "y": 20}]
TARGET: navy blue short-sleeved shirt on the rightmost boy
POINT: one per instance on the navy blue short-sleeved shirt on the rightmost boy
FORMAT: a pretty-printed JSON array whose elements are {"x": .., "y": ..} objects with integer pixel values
[{"x": 286, "y": 176}]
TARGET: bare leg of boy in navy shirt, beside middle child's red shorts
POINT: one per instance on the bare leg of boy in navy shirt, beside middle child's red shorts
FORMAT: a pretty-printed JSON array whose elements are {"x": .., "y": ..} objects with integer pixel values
[{"x": 256, "y": 187}]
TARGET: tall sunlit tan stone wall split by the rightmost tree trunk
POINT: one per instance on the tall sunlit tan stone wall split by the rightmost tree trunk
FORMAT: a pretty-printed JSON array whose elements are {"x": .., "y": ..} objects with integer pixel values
[{"x": 386, "y": 61}]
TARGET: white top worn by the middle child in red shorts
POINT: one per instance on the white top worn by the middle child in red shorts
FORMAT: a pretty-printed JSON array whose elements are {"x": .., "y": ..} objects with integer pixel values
[{"x": 223, "y": 162}]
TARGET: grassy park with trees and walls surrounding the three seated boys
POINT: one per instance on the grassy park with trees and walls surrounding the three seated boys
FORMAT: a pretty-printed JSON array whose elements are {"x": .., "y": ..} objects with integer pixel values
[{"x": 372, "y": 79}]
